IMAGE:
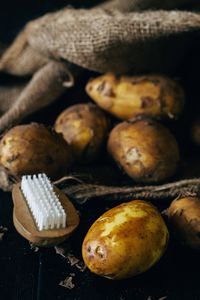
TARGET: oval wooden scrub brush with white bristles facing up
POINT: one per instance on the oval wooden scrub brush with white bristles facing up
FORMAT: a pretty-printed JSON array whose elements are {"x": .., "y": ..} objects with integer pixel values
[{"x": 42, "y": 213}]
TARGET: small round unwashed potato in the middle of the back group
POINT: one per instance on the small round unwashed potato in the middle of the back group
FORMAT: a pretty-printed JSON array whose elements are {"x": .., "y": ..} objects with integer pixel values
[{"x": 84, "y": 127}]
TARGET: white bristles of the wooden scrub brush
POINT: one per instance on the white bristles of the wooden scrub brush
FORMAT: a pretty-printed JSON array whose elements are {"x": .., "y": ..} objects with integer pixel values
[{"x": 44, "y": 205}]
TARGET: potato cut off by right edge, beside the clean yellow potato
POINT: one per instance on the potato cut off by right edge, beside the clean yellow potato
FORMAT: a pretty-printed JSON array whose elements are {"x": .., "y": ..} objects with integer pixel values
[{"x": 184, "y": 214}]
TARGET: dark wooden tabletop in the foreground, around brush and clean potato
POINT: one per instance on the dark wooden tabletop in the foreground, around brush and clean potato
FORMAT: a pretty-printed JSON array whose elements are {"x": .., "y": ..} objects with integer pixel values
[{"x": 27, "y": 273}]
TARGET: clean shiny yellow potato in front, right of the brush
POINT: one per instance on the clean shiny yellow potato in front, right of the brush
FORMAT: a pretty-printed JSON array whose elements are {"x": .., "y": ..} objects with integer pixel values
[{"x": 125, "y": 241}]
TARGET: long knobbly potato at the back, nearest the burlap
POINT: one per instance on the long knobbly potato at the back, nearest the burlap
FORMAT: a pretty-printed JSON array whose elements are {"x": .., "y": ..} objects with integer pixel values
[{"x": 127, "y": 97}]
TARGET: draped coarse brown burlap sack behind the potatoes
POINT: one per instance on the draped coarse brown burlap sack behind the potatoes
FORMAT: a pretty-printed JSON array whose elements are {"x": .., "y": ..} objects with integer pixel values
[{"x": 120, "y": 36}]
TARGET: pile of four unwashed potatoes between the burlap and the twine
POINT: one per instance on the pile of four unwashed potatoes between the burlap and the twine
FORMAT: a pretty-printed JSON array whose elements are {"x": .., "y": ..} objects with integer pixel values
[{"x": 142, "y": 147}]
